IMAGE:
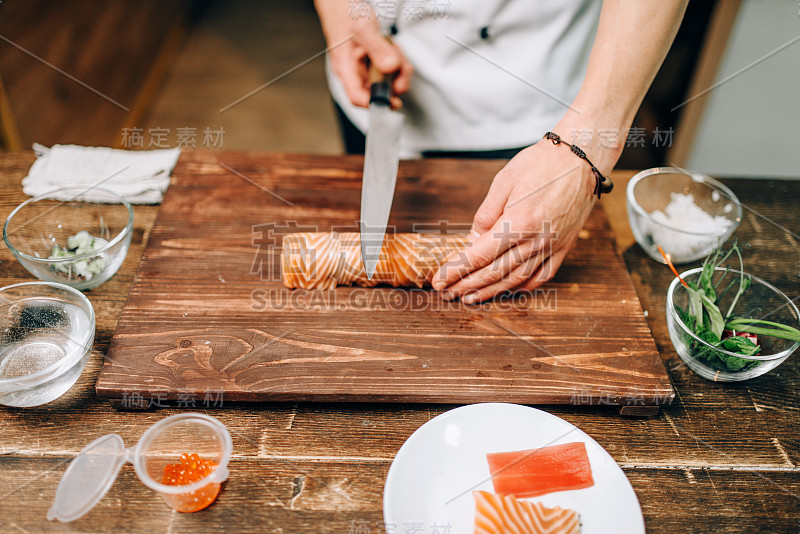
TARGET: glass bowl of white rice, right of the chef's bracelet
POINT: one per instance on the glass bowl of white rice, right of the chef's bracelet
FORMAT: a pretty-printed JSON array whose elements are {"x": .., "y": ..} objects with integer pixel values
[{"x": 668, "y": 206}]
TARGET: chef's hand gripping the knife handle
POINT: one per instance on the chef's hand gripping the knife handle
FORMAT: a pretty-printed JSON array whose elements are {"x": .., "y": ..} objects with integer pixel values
[{"x": 356, "y": 41}]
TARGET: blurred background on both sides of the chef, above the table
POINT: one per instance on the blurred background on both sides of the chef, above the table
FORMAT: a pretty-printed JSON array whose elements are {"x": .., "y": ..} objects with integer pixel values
[{"x": 249, "y": 75}]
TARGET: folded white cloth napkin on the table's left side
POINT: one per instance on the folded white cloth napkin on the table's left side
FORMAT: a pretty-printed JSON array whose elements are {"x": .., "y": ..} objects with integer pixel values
[{"x": 139, "y": 176}]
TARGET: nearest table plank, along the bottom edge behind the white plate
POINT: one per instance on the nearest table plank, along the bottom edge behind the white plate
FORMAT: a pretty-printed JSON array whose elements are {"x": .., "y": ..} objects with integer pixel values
[{"x": 304, "y": 496}]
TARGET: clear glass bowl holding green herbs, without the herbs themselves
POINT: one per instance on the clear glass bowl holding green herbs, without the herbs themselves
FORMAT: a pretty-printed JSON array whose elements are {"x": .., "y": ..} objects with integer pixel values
[{"x": 761, "y": 301}]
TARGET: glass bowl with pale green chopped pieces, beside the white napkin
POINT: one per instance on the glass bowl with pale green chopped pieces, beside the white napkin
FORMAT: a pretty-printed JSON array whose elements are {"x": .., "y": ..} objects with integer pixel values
[{"x": 79, "y": 242}]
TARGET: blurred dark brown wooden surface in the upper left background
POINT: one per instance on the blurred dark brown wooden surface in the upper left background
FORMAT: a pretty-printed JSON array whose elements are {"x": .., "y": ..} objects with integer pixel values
[{"x": 80, "y": 72}]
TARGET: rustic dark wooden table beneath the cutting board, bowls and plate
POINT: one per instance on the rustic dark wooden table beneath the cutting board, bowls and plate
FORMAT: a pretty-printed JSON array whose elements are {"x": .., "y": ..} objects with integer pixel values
[{"x": 721, "y": 458}]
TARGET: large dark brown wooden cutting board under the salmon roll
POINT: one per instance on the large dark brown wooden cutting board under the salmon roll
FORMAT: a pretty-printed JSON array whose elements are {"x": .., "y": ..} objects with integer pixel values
[{"x": 207, "y": 312}]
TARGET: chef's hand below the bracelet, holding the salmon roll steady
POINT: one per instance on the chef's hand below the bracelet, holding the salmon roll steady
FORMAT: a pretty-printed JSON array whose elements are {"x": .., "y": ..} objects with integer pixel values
[{"x": 531, "y": 217}]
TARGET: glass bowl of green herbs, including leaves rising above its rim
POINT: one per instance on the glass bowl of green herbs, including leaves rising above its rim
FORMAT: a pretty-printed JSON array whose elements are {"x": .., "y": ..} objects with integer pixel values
[{"x": 728, "y": 325}]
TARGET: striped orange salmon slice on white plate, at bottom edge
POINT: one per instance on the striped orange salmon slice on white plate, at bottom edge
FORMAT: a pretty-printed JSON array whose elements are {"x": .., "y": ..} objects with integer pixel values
[{"x": 503, "y": 514}]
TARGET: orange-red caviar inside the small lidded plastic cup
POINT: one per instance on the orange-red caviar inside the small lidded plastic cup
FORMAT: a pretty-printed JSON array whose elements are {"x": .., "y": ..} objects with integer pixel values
[{"x": 191, "y": 469}]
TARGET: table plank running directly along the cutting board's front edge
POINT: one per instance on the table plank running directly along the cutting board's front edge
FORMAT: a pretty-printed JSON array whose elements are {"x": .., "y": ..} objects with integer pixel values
[{"x": 377, "y": 431}]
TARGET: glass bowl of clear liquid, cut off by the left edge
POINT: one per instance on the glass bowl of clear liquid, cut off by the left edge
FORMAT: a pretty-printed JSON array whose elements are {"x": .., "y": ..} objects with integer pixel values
[{"x": 46, "y": 336}]
